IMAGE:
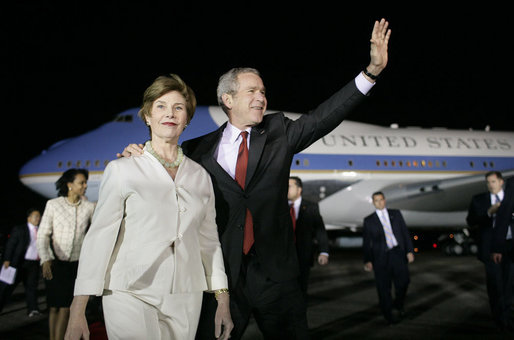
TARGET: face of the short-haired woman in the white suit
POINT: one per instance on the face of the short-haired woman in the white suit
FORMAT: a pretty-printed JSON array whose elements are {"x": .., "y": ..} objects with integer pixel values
[{"x": 168, "y": 117}]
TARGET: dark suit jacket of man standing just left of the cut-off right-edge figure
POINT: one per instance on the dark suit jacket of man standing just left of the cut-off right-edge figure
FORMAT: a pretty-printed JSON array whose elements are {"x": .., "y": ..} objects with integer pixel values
[{"x": 478, "y": 217}]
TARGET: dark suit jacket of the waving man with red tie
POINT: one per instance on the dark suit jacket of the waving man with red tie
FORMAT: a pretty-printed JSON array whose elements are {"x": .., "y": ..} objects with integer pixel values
[{"x": 273, "y": 144}]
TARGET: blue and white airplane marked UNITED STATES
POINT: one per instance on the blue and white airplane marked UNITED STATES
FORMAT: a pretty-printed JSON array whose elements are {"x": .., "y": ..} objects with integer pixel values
[{"x": 430, "y": 174}]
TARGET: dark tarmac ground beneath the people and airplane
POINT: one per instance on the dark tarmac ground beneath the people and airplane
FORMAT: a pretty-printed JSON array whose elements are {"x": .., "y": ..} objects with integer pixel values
[{"x": 447, "y": 299}]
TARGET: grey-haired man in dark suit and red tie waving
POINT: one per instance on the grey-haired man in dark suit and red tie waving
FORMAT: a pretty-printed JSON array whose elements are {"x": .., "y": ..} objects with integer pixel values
[{"x": 252, "y": 214}]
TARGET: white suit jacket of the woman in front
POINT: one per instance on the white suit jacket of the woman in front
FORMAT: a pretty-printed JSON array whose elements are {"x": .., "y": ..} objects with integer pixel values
[{"x": 140, "y": 214}]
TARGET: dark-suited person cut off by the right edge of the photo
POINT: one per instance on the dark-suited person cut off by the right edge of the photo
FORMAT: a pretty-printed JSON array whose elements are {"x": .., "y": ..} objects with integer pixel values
[{"x": 502, "y": 250}]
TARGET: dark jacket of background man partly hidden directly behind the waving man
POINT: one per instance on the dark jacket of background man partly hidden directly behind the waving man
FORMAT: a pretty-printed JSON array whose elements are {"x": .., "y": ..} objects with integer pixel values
[{"x": 310, "y": 227}]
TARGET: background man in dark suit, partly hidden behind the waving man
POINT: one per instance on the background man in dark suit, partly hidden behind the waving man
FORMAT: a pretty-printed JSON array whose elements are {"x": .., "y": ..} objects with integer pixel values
[{"x": 308, "y": 227}]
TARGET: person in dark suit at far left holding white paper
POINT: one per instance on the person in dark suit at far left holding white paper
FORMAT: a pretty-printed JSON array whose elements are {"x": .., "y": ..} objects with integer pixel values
[{"x": 21, "y": 253}]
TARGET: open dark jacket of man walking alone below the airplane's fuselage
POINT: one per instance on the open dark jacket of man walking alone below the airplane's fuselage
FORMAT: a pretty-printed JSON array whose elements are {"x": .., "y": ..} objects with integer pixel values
[{"x": 374, "y": 242}]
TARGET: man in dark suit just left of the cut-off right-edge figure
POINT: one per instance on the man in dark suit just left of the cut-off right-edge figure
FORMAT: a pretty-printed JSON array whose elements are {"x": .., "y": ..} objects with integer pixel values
[{"x": 482, "y": 214}]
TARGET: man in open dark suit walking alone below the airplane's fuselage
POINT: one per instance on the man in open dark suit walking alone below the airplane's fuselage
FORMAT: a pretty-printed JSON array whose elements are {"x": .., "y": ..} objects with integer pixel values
[{"x": 388, "y": 249}]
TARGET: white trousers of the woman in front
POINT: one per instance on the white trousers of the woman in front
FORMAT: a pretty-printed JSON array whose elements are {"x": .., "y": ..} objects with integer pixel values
[{"x": 129, "y": 317}]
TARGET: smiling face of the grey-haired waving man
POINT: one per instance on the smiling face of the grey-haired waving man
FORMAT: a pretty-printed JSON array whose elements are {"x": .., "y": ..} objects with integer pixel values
[{"x": 248, "y": 105}]
